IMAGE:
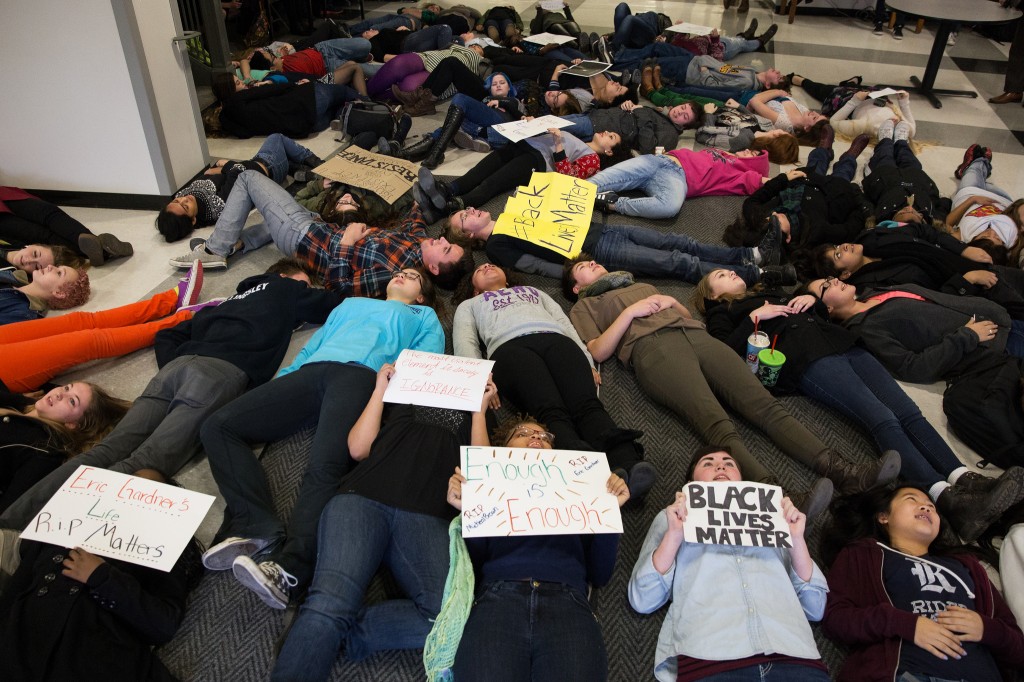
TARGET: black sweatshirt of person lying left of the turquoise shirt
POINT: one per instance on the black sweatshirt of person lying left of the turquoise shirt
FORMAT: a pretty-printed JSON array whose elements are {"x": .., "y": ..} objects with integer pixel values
[{"x": 252, "y": 329}]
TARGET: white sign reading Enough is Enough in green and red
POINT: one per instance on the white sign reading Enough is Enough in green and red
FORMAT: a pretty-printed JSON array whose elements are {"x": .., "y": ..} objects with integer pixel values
[{"x": 524, "y": 492}]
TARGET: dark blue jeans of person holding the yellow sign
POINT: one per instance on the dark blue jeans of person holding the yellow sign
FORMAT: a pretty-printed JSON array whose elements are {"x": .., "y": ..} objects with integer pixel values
[{"x": 649, "y": 252}]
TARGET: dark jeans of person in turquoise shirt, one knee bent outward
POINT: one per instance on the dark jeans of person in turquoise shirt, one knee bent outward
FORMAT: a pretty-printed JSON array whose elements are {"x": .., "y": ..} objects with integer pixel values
[{"x": 328, "y": 396}]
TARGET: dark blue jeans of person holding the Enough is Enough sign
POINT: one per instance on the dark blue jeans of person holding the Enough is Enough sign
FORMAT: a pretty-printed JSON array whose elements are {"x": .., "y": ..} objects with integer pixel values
[{"x": 529, "y": 630}]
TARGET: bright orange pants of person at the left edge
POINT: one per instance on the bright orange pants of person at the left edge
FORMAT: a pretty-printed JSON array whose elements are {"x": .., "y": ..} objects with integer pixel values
[{"x": 35, "y": 352}]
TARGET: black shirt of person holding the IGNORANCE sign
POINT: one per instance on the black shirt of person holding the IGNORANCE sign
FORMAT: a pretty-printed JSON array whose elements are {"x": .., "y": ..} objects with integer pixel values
[{"x": 412, "y": 459}]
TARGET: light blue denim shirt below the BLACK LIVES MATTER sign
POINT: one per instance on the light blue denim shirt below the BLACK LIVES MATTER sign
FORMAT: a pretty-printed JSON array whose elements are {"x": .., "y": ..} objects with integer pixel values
[{"x": 728, "y": 603}]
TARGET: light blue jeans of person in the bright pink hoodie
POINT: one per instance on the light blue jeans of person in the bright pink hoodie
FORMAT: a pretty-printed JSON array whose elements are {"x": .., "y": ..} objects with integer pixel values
[{"x": 661, "y": 178}]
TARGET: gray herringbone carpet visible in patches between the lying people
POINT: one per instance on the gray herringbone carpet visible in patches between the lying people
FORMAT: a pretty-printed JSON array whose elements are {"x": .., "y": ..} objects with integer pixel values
[{"x": 229, "y": 634}]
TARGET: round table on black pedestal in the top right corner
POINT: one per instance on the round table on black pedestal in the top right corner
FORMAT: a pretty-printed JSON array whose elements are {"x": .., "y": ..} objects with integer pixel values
[{"x": 949, "y": 13}]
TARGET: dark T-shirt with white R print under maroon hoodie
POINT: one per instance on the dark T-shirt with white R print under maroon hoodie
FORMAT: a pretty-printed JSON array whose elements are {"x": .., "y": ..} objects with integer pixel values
[{"x": 926, "y": 586}]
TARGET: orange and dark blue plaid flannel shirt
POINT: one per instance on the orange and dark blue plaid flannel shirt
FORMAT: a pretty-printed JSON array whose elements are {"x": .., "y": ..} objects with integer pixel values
[{"x": 365, "y": 269}]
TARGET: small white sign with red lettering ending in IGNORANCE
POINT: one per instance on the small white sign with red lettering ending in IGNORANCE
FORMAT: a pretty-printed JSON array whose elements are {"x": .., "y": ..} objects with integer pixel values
[{"x": 439, "y": 381}]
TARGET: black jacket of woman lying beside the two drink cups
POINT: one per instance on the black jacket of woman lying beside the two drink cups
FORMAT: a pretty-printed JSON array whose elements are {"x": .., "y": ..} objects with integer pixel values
[{"x": 804, "y": 338}]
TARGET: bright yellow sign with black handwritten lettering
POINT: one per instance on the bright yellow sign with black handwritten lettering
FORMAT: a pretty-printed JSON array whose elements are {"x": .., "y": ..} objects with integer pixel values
[{"x": 554, "y": 211}]
